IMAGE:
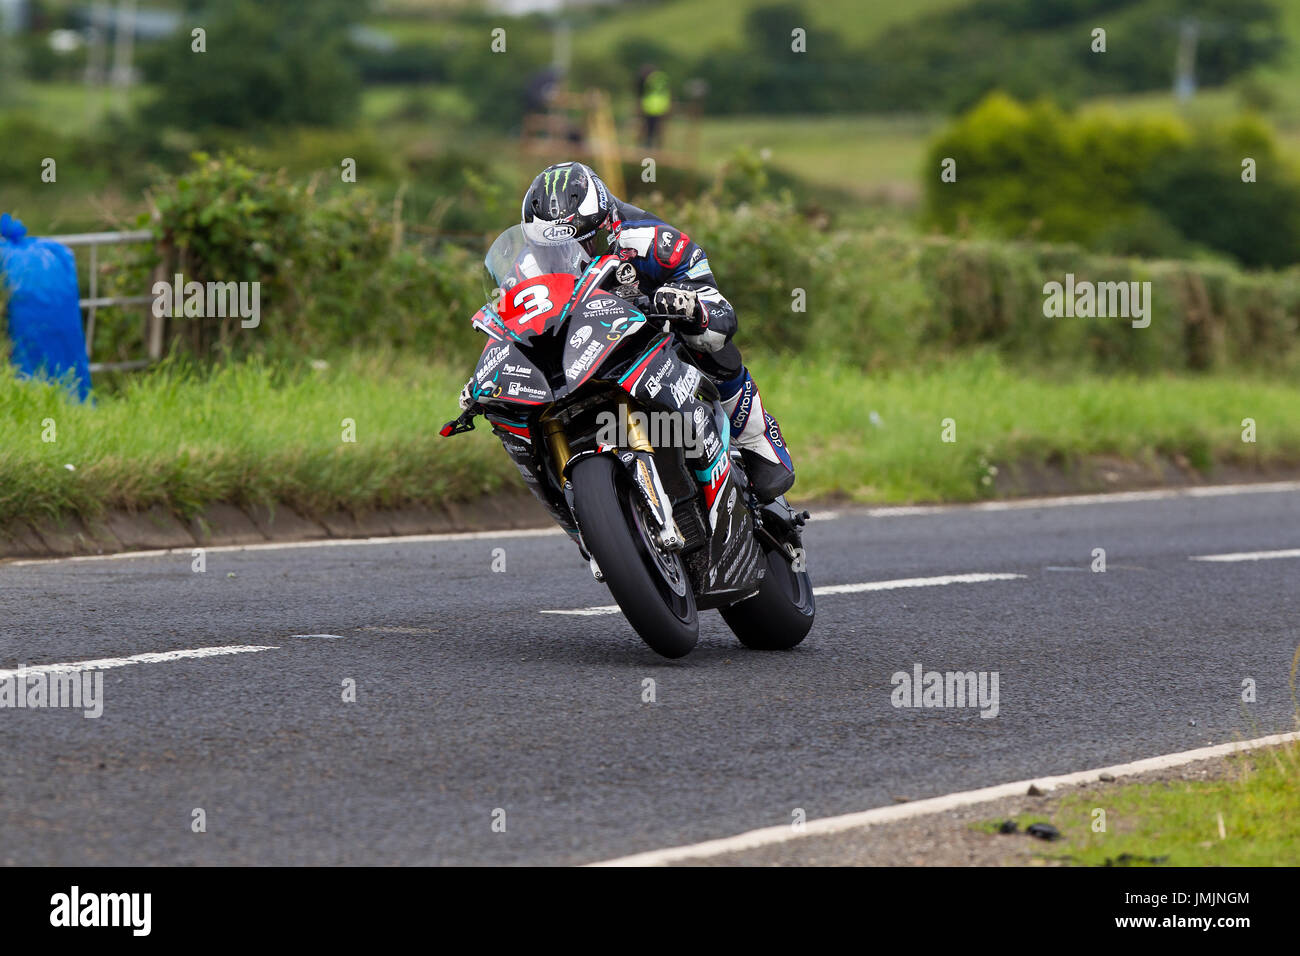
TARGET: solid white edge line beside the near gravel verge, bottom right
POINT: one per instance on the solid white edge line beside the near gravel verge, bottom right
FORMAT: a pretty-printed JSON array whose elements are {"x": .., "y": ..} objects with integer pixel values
[{"x": 921, "y": 808}]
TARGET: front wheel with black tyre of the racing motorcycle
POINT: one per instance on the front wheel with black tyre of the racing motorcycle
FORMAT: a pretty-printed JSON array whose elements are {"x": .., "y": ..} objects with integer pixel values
[{"x": 661, "y": 611}]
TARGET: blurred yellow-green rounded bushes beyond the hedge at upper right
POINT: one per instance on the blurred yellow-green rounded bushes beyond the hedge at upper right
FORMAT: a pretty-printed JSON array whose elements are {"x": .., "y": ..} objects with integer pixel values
[{"x": 1149, "y": 185}]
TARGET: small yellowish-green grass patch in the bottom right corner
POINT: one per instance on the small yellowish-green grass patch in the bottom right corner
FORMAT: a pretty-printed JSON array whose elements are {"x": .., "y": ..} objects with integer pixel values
[{"x": 1177, "y": 824}]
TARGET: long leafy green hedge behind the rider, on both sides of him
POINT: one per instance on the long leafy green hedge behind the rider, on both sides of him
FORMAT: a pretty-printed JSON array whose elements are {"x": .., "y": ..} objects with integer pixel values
[{"x": 339, "y": 275}]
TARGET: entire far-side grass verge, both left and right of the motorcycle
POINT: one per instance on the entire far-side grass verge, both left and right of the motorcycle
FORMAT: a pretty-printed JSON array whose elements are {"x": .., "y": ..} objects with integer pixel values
[{"x": 249, "y": 435}]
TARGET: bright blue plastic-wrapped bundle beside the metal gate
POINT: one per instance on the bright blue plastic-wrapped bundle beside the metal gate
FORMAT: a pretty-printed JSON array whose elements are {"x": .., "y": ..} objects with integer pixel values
[{"x": 45, "y": 319}]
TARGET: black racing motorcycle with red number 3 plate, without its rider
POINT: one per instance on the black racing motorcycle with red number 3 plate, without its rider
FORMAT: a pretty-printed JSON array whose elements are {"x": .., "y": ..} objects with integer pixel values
[{"x": 625, "y": 440}]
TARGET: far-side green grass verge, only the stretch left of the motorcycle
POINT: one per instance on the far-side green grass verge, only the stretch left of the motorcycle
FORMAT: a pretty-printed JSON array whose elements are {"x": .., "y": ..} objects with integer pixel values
[{"x": 244, "y": 435}]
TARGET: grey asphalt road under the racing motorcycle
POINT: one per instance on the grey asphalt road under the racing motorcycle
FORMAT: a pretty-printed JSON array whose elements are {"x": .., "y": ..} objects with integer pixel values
[{"x": 471, "y": 700}]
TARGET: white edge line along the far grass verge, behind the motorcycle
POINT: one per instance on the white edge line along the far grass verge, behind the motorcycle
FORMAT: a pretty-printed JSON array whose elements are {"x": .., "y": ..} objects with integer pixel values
[{"x": 886, "y": 512}]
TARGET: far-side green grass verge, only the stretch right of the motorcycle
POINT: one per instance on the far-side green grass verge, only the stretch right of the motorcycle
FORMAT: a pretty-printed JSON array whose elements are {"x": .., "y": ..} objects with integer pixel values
[{"x": 1004, "y": 416}]
